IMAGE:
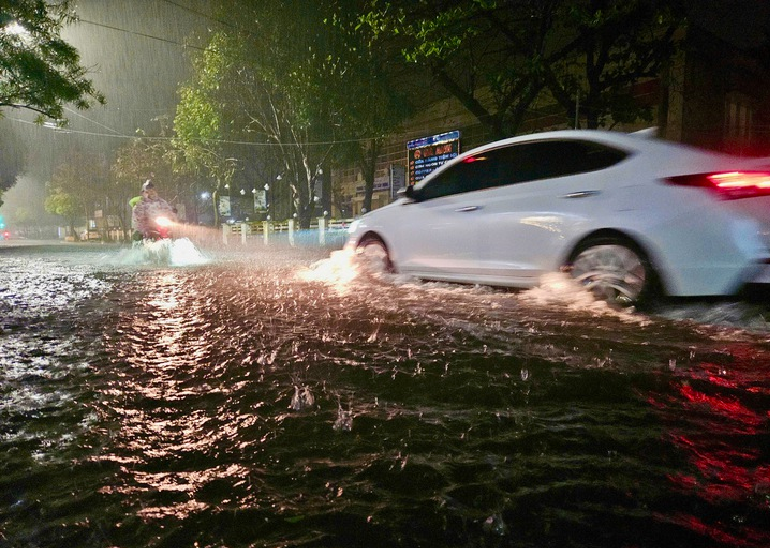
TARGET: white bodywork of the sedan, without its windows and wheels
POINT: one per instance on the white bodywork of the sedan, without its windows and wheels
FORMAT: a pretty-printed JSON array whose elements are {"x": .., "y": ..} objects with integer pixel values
[{"x": 512, "y": 234}]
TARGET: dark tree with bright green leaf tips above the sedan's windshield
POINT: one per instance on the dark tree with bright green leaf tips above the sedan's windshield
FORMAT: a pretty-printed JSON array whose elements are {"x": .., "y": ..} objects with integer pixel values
[{"x": 487, "y": 54}]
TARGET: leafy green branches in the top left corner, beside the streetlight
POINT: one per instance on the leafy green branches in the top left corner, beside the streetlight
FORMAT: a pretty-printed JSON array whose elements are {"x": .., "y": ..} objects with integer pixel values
[{"x": 38, "y": 70}]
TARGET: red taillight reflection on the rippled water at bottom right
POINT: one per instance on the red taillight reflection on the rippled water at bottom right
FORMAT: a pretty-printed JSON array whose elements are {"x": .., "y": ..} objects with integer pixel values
[{"x": 718, "y": 413}]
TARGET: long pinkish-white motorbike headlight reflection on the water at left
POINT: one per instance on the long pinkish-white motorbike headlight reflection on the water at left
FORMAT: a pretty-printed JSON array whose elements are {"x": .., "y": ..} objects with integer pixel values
[{"x": 164, "y": 362}]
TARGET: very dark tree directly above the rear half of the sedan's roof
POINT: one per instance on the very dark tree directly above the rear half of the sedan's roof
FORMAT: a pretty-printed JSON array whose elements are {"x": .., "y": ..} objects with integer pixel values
[{"x": 613, "y": 45}]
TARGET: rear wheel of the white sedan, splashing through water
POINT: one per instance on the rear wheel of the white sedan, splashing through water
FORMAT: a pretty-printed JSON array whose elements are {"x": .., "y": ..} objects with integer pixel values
[{"x": 614, "y": 270}]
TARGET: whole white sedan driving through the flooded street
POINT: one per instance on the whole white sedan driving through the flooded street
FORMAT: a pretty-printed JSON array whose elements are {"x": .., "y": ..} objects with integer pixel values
[{"x": 628, "y": 215}]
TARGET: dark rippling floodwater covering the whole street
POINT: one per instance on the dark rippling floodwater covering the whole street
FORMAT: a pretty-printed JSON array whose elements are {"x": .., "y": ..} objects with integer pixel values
[{"x": 285, "y": 397}]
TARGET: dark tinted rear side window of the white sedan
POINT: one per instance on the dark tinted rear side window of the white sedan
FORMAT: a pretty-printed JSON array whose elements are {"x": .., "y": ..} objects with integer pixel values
[{"x": 550, "y": 159}]
